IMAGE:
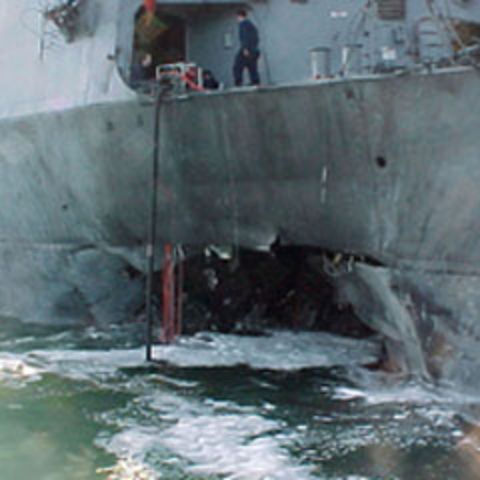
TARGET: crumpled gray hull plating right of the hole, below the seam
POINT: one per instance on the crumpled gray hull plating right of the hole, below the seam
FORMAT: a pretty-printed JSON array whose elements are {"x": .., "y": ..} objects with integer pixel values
[{"x": 430, "y": 321}]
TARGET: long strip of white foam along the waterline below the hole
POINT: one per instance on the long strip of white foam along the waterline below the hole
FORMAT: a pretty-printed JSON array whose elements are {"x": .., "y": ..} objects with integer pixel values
[{"x": 281, "y": 350}]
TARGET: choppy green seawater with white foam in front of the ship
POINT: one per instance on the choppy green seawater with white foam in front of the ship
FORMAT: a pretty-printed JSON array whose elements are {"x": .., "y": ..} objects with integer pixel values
[{"x": 83, "y": 405}]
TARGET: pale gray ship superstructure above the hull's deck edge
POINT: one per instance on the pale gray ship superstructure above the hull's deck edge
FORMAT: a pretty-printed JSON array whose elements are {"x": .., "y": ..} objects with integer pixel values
[{"x": 299, "y": 40}]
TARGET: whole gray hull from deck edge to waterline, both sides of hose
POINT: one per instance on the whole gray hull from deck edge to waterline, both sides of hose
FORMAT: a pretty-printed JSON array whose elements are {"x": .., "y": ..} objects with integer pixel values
[{"x": 381, "y": 168}]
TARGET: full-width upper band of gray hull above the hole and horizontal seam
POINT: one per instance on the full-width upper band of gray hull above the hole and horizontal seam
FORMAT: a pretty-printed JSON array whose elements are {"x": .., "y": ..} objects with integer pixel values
[{"x": 386, "y": 168}]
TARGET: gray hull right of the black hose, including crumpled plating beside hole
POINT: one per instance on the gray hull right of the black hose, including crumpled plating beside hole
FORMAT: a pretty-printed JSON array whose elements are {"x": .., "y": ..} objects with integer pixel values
[{"x": 385, "y": 170}]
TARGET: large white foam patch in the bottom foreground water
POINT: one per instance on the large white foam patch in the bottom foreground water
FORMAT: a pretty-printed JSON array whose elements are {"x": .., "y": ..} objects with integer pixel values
[{"x": 206, "y": 438}]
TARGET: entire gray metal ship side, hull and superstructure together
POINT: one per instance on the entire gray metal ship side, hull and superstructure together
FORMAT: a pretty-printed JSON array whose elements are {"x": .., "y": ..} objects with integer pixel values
[{"x": 382, "y": 166}]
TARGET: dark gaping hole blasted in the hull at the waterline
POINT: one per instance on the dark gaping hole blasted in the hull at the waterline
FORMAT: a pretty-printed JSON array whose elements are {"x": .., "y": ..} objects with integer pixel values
[{"x": 289, "y": 288}]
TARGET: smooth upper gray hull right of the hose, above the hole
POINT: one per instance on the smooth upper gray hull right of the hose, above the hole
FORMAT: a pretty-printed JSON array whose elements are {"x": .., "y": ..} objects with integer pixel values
[{"x": 385, "y": 167}]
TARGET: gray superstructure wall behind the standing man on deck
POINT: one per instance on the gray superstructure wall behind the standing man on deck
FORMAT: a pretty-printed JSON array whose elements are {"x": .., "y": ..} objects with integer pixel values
[{"x": 290, "y": 30}]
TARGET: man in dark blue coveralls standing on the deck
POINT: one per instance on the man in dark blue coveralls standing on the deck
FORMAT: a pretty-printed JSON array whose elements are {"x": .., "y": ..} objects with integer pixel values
[{"x": 247, "y": 57}]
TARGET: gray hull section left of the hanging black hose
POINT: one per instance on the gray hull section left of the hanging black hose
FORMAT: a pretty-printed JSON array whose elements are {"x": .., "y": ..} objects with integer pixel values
[{"x": 74, "y": 187}]
